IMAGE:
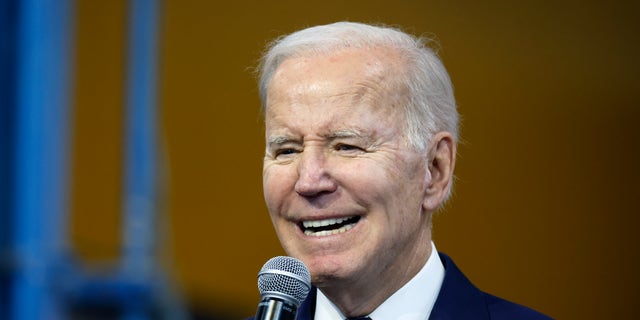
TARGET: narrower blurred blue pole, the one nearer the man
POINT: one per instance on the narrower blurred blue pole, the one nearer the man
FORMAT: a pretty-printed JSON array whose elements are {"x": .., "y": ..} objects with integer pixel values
[{"x": 141, "y": 147}]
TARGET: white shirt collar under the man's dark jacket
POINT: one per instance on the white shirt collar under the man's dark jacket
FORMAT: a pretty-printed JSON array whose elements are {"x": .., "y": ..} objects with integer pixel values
[{"x": 414, "y": 301}]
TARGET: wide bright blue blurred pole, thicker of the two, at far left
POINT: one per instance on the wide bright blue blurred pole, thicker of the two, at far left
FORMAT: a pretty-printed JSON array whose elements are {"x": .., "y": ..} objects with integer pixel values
[{"x": 42, "y": 117}]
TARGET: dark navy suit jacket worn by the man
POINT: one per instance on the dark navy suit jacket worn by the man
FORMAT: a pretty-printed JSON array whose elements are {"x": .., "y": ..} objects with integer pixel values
[{"x": 458, "y": 299}]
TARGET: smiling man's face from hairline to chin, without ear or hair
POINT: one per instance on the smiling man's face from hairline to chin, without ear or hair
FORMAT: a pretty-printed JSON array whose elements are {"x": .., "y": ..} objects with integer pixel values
[{"x": 344, "y": 190}]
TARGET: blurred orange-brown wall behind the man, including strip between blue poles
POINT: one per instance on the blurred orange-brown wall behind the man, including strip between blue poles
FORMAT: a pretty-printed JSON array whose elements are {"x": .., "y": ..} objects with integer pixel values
[{"x": 543, "y": 211}]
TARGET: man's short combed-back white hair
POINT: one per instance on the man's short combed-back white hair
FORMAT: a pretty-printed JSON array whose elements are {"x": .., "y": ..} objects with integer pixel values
[{"x": 430, "y": 105}]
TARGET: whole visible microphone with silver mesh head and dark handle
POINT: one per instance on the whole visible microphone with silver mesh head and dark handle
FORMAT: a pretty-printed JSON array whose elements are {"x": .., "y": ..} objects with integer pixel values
[{"x": 284, "y": 283}]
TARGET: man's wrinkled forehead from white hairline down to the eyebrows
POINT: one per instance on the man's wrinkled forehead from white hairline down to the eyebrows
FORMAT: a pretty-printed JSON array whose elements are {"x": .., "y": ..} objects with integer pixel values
[{"x": 352, "y": 89}]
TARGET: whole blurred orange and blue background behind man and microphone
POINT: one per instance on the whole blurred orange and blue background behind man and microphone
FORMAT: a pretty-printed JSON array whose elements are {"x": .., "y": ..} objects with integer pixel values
[{"x": 131, "y": 150}]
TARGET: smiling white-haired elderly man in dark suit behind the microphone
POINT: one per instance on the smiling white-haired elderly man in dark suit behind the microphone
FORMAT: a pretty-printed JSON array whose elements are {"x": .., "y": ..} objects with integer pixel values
[{"x": 361, "y": 131}]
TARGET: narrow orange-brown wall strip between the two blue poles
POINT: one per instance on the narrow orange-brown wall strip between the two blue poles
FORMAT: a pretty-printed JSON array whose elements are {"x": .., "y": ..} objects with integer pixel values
[{"x": 99, "y": 128}]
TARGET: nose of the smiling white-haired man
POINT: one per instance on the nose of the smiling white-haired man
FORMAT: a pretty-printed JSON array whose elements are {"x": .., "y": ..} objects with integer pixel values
[{"x": 314, "y": 174}]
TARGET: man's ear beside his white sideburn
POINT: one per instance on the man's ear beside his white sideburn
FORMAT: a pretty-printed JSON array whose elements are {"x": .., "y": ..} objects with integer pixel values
[{"x": 442, "y": 160}]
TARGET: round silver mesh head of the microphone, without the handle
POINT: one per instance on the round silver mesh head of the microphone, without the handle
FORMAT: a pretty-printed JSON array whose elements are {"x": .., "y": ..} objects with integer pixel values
[{"x": 285, "y": 278}]
